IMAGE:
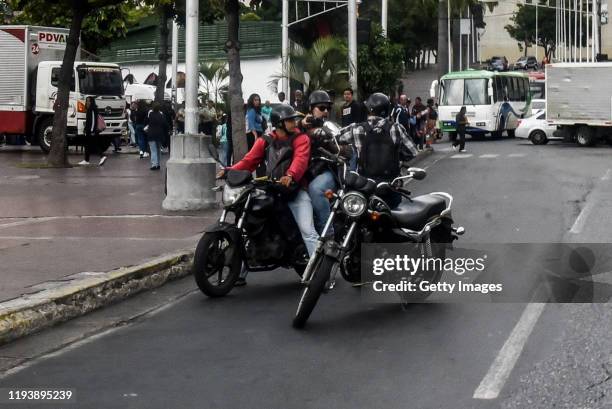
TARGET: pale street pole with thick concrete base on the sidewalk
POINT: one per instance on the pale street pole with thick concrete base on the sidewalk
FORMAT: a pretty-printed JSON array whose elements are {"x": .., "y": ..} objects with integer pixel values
[{"x": 190, "y": 171}]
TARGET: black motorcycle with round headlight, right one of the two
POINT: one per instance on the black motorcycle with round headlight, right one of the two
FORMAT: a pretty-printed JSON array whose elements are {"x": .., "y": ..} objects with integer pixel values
[{"x": 361, "y": 215}]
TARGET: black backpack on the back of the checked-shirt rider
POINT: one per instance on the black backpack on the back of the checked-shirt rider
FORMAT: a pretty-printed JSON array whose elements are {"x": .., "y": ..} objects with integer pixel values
[{"x": 379, "y": 156}]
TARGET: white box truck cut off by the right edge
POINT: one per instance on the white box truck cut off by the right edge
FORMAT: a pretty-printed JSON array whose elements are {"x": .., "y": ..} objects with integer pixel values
[{"x": 579, "y": 101}]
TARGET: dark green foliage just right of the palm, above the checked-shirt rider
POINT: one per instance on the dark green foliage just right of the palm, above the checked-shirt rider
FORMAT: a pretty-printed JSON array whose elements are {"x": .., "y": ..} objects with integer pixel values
[{"x": 380, "y": 64}]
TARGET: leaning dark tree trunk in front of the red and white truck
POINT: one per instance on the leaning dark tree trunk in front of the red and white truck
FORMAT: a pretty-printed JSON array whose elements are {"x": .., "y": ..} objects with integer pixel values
[{"x": 58, "y": 156}]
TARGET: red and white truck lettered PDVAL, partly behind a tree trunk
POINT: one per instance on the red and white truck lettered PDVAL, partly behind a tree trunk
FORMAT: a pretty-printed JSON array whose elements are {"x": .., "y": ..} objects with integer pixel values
[{"x": 30, "y": 63}]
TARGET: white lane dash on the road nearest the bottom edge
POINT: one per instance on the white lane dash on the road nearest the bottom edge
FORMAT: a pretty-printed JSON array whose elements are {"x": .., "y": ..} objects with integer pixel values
[{"x": 506, "y": 359}]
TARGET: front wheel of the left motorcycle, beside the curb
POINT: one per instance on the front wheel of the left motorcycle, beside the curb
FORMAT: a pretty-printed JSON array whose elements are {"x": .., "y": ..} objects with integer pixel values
[{"x": 216, "y": 264}]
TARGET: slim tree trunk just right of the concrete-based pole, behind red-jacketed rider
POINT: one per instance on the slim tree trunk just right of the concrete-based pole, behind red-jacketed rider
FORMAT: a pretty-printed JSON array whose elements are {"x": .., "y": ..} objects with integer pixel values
[{"x": 232, "y": 10}]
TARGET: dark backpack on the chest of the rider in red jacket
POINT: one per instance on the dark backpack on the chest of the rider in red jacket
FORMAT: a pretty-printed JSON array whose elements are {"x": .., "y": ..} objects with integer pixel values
[{"x": 278, "y": 156}]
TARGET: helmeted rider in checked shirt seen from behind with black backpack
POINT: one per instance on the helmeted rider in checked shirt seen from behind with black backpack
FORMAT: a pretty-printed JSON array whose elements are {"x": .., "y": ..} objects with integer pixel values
[{"x": 380, "y": 145}]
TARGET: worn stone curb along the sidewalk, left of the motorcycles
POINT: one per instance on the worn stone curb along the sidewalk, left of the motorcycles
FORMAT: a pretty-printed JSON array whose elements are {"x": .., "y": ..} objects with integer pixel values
[{"x": 33, "y": 312}]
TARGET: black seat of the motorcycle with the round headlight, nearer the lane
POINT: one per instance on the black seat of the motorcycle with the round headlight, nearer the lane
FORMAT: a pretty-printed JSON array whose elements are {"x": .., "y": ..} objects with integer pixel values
[{"x": 414, "y": 214}]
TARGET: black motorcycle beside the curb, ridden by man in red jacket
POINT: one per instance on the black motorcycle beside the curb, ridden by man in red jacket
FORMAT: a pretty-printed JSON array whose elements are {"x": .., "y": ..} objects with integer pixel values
[{"x": 261, "y": 236}]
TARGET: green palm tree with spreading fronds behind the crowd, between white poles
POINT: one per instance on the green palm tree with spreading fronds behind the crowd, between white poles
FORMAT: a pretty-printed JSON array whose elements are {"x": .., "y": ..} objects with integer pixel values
[{"x": 322, "y": 66}]
